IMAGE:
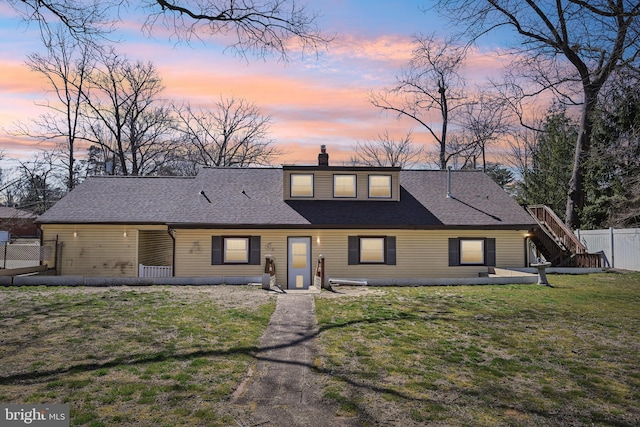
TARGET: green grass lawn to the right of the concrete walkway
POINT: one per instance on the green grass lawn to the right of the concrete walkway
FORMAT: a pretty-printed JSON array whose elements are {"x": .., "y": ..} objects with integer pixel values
[{"x": 520, "y": 355}]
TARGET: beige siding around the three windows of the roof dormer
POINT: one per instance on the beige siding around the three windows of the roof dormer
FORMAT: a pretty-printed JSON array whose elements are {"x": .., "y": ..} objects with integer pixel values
[{"x": 323, "y": 183}]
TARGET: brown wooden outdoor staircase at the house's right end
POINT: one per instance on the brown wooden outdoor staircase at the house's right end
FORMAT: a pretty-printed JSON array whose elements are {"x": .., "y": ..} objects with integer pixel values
[{"x": 557, "y": 243}]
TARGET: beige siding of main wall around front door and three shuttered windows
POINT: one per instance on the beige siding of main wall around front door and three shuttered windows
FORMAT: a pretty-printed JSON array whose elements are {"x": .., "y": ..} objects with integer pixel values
[{"x": 419, "y": 253}]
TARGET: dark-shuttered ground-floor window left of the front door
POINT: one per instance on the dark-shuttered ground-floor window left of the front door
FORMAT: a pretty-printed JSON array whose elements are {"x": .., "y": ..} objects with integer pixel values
[{"x": 235, "y": 250}]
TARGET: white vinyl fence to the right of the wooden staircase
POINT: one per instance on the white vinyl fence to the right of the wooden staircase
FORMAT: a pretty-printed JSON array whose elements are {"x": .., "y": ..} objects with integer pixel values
[{"x": 621, "y": 247}]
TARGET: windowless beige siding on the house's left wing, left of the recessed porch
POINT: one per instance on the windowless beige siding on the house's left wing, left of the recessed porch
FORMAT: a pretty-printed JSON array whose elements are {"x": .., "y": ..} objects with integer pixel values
[{"x": 97, "y": 250}]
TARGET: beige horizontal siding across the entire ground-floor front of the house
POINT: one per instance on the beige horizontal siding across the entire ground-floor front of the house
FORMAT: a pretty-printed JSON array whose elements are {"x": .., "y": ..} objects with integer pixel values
[{"x": 104, "y": 250}]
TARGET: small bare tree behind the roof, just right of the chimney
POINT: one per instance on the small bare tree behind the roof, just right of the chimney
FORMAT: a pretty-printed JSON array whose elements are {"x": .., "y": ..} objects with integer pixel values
[{"x": 386, "y": 151}]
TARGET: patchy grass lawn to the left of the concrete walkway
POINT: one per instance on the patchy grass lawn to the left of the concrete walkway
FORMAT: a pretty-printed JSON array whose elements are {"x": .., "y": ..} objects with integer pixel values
[{"x": 120, "y": 356}]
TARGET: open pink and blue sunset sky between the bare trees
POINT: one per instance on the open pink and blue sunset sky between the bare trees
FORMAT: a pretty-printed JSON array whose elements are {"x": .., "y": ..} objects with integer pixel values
[{"x": 312, "y": 100}]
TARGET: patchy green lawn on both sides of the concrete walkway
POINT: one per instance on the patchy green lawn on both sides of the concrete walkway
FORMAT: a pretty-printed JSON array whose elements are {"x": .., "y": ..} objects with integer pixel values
[{"x": 521, "y": 355}]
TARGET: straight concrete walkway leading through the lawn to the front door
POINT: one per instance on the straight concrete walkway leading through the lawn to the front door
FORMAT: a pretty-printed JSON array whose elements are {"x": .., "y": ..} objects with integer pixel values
[{"x": 283, "y": 390}]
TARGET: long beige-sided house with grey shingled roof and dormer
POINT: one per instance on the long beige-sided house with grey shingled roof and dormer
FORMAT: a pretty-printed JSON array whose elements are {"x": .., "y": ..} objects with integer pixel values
[{"x": 367, "y": 222}]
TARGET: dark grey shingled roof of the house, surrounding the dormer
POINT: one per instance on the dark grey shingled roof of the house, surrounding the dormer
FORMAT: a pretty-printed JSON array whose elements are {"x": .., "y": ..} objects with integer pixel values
[{"x": 253, "y": 197}]
